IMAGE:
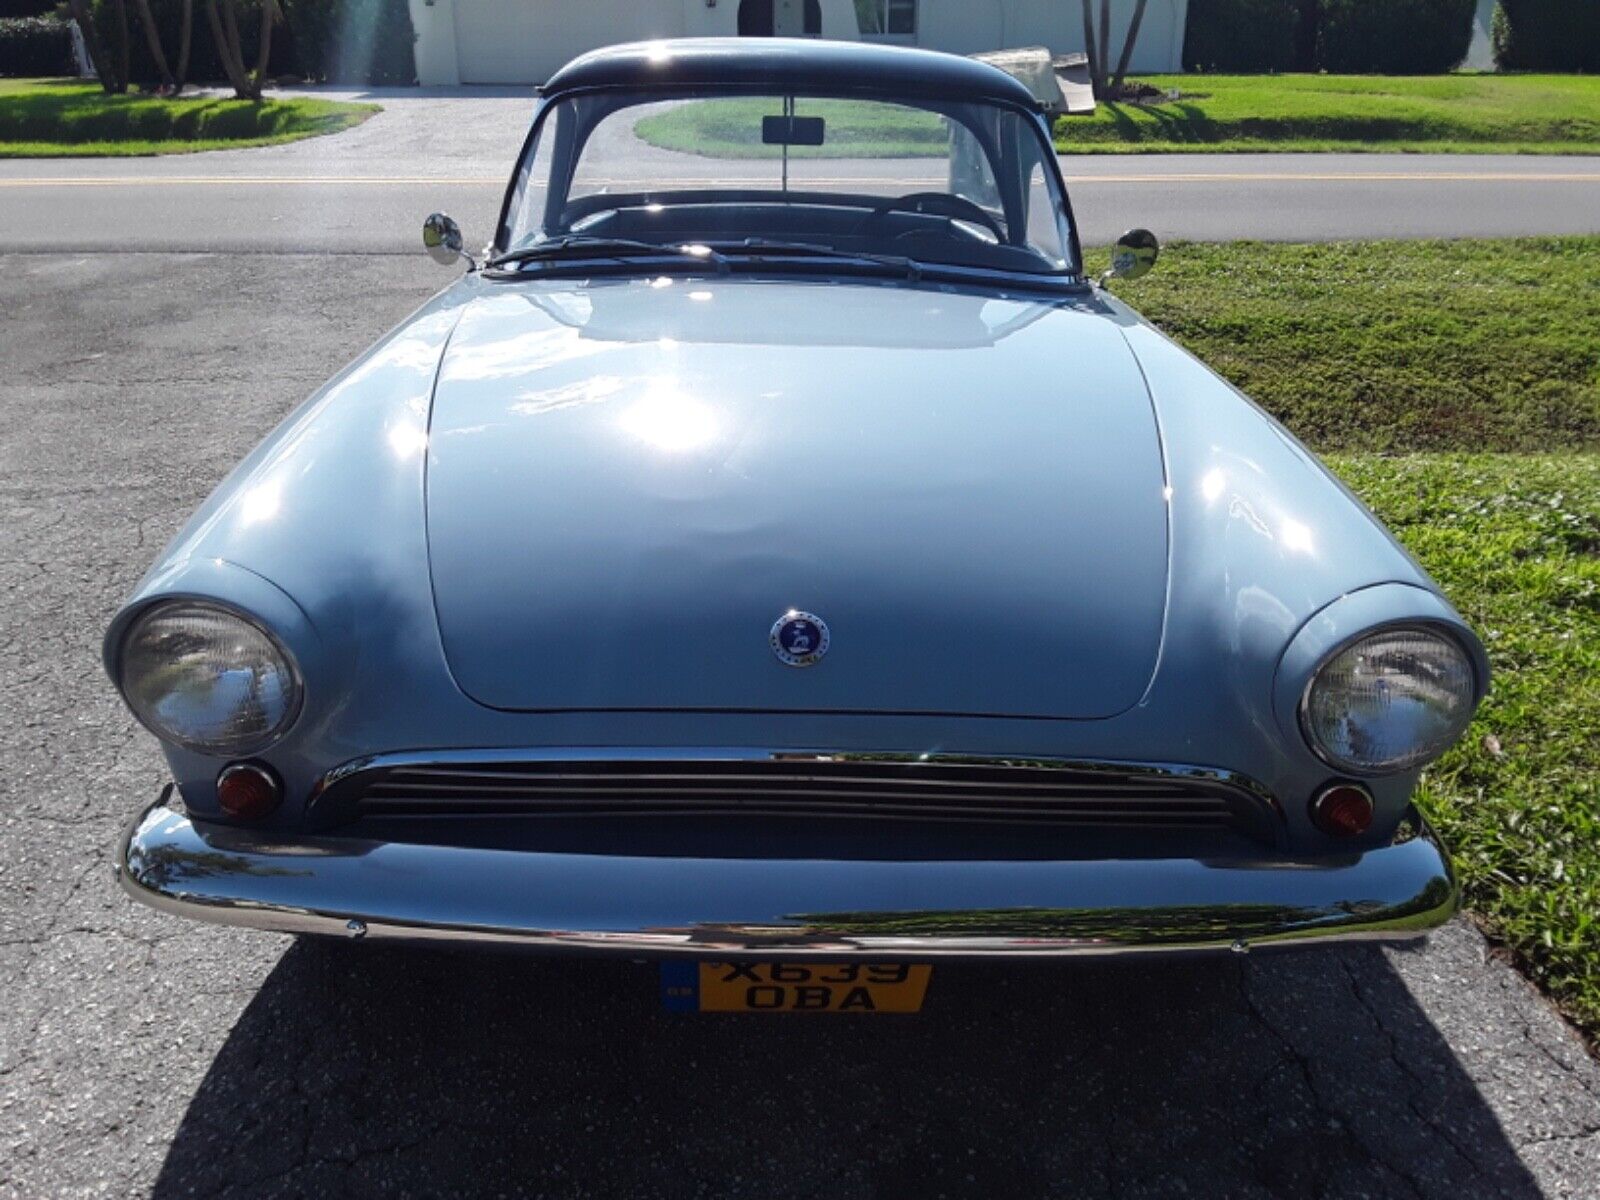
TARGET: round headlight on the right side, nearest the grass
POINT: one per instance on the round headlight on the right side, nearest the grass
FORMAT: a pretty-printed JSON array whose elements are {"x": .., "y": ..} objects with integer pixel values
[{"x": 1390, "y": 702}]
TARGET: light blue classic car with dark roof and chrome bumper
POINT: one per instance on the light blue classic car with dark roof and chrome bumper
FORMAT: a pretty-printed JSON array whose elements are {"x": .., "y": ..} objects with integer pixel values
[{"x": 777, "y": 550}]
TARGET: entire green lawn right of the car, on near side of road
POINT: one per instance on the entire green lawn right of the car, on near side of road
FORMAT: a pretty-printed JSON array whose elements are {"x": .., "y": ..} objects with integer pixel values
[{"x": 1425, "y": 369}]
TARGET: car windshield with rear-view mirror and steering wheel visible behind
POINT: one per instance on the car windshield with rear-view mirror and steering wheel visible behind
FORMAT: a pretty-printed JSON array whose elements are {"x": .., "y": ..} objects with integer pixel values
[{"x": 930, "y": 183}]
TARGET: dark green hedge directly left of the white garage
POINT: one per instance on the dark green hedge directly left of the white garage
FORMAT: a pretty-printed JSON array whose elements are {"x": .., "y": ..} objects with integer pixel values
[{"x": 354, "y": 41}]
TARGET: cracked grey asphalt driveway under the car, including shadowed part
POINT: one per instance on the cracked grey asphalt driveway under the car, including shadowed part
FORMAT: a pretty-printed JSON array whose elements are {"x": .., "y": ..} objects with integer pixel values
[{"x": 150, "y": 1057}]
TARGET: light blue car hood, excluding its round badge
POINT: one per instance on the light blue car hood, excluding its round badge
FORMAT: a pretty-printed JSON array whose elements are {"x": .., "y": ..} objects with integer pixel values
[{"x": 630, "y": 482}]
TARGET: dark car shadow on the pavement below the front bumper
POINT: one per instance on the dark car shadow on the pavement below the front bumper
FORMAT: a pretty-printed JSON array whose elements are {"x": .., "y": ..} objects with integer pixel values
[{"x": 362, "y": 1070}]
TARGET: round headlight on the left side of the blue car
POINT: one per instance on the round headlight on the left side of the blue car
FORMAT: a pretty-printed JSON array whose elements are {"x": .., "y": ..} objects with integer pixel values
[{"x": 209, "y": 679}]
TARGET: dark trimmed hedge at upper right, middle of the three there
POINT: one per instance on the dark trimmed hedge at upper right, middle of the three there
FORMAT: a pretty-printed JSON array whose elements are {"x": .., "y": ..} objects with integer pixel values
[{"x": 1394, "y": 38}]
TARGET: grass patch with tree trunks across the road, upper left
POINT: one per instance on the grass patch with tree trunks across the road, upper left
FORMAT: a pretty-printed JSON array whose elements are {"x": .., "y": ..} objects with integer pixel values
[{"x": 49, "y": 119}]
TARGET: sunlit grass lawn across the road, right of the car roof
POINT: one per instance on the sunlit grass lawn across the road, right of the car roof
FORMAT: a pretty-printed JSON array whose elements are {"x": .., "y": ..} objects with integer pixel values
[{"x": 1505, "y": 114}]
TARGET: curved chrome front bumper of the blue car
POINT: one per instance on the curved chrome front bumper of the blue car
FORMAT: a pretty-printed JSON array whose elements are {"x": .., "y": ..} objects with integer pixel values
[{"x": 716, "y": 908}]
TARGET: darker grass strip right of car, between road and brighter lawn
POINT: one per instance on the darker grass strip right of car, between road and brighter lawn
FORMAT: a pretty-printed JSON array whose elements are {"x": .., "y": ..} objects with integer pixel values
[{"x": 1398, "y": 346}]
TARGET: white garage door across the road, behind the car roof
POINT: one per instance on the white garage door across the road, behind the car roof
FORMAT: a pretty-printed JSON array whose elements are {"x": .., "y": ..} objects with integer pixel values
[{"x": 527, "y": 41}]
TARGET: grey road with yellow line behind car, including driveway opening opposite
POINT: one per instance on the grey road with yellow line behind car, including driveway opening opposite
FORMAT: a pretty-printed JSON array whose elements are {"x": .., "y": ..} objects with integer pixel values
[{"x": 367, "y": 190}]
